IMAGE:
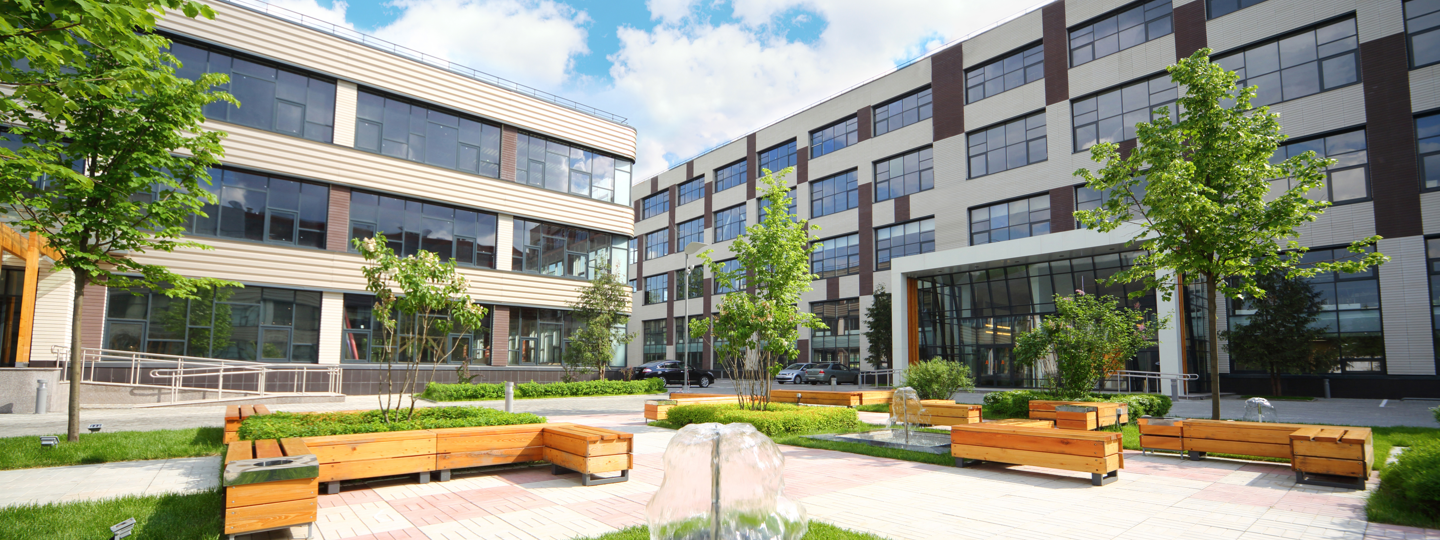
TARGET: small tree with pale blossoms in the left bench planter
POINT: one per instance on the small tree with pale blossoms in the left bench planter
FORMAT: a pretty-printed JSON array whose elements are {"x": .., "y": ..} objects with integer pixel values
[{"x": 420, "y": 305}]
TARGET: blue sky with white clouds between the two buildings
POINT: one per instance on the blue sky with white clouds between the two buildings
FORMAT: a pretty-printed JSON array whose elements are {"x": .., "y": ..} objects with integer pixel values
[{"x": 688, "y": 74}]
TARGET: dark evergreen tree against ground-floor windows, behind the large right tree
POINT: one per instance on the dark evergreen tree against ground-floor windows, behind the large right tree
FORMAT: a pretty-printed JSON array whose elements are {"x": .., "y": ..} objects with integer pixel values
[{"x": 1281, "y": 336}]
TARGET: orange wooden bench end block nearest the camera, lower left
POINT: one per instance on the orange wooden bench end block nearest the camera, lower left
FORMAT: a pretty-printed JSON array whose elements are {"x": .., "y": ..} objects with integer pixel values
[{"x": 258, "y": 506}]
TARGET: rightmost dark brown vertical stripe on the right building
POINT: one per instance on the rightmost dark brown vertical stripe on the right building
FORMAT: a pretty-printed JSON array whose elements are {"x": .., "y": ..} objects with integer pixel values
[{"x": 1390, "y": 129}]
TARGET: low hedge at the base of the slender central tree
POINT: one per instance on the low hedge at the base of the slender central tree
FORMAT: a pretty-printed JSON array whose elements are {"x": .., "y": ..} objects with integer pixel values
[{"x": 777, "y": 420}]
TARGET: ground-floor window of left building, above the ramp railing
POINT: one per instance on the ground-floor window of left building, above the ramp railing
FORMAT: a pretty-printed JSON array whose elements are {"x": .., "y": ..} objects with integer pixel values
[{"x": 251, "y": 323}]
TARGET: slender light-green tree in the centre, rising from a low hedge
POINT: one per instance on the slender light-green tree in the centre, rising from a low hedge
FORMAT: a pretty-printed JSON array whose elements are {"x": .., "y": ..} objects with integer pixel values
[{"x": 757, "y": 333}]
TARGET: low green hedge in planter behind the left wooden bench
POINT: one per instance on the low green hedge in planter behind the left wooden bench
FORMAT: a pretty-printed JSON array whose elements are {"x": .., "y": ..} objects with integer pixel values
[{"x": 284, "y": 424}]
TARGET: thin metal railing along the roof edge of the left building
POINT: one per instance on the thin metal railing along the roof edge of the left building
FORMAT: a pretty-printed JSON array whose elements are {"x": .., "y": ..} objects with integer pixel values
[{"x": 420, "y": 57}]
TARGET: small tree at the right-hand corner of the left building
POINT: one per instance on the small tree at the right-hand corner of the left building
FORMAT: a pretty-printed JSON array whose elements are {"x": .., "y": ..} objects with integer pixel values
[{"x": 601, "y": 310}]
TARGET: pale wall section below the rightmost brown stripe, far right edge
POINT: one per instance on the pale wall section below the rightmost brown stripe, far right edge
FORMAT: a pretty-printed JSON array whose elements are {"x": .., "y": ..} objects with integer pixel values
[{"x": 1406, "y": 309}]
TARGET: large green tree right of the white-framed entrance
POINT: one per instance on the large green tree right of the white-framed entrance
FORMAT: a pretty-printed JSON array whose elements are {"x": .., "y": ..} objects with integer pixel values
[{"x": 1199, "y": 197}]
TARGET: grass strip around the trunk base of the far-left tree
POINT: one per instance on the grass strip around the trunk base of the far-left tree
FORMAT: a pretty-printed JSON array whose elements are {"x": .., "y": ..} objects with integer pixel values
[{"x": 21, "y": 453}]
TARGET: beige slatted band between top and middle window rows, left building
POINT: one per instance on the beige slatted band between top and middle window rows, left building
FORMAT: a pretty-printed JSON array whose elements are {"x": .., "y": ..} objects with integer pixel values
[{"x": 248, "y": 148}]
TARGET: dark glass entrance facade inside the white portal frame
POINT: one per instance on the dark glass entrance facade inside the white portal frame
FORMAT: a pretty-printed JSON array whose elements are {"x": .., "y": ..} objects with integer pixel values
[{"x": 974, "y": 318}]
